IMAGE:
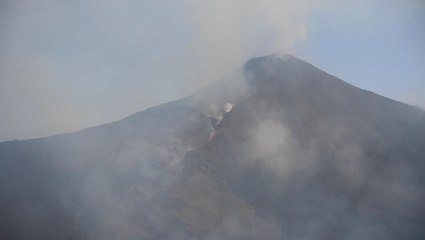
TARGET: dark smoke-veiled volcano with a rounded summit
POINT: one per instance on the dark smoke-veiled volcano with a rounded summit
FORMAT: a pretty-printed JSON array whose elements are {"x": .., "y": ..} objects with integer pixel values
[{"x": 277, "y": 150}]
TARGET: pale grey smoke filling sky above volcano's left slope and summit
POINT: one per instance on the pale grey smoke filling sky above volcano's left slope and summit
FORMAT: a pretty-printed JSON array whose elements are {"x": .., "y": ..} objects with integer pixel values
[{"x": 98, "y": 61}]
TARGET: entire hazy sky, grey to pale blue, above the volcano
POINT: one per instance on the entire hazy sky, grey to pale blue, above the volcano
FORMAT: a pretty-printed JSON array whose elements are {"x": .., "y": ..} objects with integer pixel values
[{"x": 69, "y": 64}]
